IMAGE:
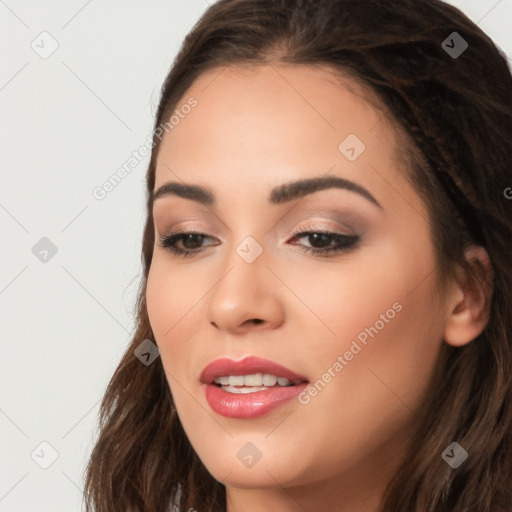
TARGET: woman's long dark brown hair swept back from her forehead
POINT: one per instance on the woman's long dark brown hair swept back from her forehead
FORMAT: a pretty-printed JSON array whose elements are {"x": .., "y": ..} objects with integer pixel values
[{"x": 455, "y": 116}]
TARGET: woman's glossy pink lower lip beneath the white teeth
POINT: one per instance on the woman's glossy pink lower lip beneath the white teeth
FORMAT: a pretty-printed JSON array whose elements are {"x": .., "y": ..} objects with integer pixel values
[{"x": 250, "y": 405}]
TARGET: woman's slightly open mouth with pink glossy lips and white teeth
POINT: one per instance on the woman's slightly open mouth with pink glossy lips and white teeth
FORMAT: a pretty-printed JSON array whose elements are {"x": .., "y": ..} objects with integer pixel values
[{"x": 250, "y": 387}]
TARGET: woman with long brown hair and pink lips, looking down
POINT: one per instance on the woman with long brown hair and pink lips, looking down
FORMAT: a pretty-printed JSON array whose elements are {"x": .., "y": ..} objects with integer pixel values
[{"x": 327, "y": 272}]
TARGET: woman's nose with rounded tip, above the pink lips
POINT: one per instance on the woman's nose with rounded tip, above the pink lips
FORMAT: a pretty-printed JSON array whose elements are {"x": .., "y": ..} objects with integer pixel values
[{"x": 247, "y": 297}]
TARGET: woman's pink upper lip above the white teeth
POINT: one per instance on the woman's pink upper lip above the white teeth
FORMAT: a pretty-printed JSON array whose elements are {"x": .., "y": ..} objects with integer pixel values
[{"x": 246, "y": 366}]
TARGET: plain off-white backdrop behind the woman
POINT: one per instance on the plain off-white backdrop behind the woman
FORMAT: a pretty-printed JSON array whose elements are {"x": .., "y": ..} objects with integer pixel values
[{"x": 68, "y": 121}]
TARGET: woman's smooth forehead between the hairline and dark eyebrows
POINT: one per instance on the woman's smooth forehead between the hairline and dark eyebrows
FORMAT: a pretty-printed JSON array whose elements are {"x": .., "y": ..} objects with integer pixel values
[{"x": 274, "y": 122}]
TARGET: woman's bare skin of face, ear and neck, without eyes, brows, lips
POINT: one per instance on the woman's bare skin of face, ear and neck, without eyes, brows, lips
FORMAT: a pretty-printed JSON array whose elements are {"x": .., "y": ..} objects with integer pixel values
[{"x": 252, "y": 130}]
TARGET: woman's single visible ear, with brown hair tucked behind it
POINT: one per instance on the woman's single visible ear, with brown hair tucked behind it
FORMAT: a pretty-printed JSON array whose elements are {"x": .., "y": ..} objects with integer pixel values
[{"x": 468, "y": 306}]
